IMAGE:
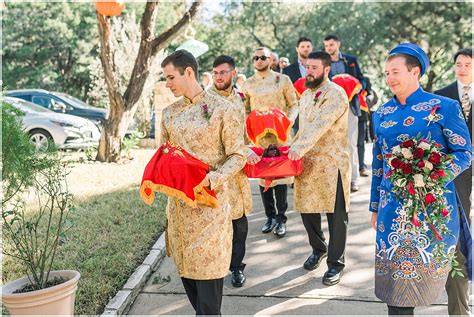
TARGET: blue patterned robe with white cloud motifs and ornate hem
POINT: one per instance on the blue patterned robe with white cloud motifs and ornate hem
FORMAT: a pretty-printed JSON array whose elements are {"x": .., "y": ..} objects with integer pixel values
[{"x": 406, "y": 272}]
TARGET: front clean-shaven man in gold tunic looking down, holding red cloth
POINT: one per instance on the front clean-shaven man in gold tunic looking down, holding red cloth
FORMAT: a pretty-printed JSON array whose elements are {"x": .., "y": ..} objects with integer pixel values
[{"x": 200, "y": 239}]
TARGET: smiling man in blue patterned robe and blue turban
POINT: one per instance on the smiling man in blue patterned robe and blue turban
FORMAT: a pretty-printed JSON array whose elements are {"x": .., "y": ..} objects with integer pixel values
[{"x": 411, "y": 265}]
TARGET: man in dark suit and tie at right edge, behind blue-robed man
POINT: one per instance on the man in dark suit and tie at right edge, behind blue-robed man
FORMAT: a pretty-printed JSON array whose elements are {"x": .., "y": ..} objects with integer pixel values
[{"x": 462, "y": 91}]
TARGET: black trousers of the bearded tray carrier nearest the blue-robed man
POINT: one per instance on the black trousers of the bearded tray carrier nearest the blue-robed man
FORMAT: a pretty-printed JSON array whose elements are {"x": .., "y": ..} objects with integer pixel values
[{"x": 337, "y": 223}]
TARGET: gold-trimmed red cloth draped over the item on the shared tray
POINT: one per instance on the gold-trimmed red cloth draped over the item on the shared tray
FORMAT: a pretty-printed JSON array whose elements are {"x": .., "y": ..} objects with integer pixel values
[{"x": 273, "y": 121}]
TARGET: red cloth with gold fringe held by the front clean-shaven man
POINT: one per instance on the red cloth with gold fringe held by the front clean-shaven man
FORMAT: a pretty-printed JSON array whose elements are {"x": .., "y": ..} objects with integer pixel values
[{"x": 176, "y": 173}]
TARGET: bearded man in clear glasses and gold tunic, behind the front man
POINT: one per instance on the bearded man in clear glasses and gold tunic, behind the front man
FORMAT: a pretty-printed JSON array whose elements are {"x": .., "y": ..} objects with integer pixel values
[{"x": 239, "y": 195}]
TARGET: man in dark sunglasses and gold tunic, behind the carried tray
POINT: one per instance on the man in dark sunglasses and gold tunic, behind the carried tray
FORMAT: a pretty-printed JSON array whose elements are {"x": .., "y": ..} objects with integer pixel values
[{"x": 264, "y": 90}]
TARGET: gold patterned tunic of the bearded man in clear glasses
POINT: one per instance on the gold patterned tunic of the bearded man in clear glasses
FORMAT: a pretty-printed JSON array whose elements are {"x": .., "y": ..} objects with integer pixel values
[{"x": 239, "y": 194}]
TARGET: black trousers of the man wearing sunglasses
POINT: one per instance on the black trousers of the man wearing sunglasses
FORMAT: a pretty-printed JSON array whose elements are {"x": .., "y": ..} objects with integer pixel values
[{"x": 280, "y": 192}]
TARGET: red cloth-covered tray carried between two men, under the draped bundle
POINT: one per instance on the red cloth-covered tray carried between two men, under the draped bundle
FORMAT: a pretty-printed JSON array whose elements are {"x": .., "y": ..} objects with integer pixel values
[{"x": 271, "y": 168}]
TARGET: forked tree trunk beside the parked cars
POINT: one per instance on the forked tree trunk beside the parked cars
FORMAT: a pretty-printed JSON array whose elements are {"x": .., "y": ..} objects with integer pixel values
[{"x": 123, "y": 107}]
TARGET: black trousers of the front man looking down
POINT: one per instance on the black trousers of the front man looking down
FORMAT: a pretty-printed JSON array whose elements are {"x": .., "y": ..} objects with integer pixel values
[{"x": 204, "y": 295}]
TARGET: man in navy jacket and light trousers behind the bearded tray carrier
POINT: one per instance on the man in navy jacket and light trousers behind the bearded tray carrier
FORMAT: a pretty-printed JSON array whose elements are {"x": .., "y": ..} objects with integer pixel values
[{"x": 342, "y": 63}]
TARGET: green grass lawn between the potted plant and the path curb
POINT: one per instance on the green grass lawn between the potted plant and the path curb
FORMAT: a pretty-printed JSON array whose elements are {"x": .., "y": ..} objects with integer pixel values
[{"x": 111, "y": 236}]
